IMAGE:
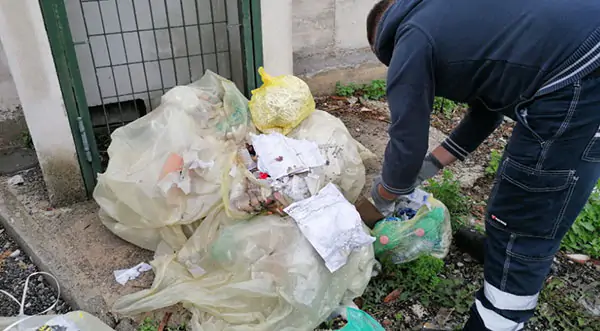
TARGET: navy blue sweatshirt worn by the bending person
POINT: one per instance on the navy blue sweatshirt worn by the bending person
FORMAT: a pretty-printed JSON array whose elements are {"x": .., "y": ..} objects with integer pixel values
[{"x": 489, "y": 54}]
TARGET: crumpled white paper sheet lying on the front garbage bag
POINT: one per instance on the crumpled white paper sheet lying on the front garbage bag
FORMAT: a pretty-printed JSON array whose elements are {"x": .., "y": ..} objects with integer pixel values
[{"x": 331, "y": 224}]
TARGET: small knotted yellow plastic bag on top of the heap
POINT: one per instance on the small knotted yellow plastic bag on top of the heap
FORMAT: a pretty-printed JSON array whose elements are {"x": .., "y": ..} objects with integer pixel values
[{"x": 281, "y": 104}]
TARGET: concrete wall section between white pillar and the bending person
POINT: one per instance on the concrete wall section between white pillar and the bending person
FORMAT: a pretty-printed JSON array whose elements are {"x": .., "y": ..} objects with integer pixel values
[{"x": 329, "y": 36}]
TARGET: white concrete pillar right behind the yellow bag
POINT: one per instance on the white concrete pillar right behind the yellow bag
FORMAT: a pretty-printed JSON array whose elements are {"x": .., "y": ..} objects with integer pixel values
[{"x": 276, "y": 17}]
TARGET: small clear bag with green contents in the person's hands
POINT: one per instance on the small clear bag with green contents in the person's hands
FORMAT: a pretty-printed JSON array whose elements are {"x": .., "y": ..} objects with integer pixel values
[{"x": 428, "y": 233}]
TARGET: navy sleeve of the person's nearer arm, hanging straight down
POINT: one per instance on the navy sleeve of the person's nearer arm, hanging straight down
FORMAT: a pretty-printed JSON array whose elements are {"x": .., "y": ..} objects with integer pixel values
[{"x": 410, "y": 93}]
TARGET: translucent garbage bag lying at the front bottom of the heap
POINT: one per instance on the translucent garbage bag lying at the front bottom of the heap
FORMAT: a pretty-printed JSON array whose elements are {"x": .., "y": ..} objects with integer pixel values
[{"x": 259, "y": 275}]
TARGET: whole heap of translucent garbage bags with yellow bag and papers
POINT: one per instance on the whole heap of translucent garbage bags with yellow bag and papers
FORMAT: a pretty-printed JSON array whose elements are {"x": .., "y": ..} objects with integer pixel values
[{"x": 196, "y": 182}]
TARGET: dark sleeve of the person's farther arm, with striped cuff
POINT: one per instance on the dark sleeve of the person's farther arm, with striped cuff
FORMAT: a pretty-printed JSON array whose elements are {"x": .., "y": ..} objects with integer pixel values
[{"x": 474, "y": 128}]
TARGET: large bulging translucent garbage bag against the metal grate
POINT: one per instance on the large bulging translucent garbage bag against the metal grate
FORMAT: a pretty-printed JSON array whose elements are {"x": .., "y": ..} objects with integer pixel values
[{"x": 201, "y": 124}]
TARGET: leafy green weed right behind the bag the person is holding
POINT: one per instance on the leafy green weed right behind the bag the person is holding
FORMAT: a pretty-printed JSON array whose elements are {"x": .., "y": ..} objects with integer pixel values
[{"x": 448, "y": 191}]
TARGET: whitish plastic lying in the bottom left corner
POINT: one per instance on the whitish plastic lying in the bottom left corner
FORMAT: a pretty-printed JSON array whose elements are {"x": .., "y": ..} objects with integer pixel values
[{"x": 73, "y": 321}]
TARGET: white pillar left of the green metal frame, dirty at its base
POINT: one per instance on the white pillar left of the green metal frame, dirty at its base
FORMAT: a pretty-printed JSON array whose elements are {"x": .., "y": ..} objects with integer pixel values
[{"x": 27, "y": 49}]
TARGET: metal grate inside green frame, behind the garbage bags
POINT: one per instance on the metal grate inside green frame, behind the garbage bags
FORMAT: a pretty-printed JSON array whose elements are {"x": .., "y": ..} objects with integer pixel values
[{"x": 130, "y": 52}]
